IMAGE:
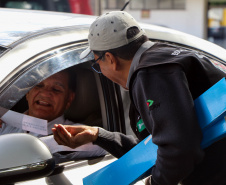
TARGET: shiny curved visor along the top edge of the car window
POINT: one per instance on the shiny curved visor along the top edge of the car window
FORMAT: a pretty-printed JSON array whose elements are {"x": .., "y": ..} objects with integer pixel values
[{"x": 32, "y": 72}]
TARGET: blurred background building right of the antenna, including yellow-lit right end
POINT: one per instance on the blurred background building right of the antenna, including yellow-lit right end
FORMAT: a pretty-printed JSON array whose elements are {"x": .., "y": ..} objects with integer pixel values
[{"x": 202, "y": 18}]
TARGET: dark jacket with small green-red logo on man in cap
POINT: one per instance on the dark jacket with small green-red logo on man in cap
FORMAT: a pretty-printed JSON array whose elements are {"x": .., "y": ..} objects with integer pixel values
[{"x": 163, "y": 87}]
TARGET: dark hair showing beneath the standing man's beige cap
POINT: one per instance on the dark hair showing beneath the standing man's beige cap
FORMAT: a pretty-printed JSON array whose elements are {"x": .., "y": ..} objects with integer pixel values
[{"x": 128, "y": 51}]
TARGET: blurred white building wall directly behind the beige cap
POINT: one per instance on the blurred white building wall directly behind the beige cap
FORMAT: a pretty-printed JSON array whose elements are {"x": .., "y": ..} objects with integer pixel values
[{"x": 188, "y": 16}]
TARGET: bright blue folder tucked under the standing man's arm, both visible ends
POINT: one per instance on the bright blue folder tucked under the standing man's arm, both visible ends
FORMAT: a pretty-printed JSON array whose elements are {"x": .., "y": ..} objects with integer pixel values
[{"x": 131, "y": 167}]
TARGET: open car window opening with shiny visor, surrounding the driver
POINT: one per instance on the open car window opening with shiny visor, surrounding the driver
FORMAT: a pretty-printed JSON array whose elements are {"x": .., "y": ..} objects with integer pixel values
[{"x": 86, "y": 106}]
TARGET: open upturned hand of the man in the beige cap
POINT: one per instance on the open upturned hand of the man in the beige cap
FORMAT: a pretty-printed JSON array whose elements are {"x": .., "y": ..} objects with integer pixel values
[{"x": 74, "y": 136}]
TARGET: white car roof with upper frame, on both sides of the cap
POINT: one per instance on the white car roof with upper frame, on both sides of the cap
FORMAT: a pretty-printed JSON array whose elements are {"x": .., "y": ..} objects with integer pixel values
[{"x": 26, "y": 33}]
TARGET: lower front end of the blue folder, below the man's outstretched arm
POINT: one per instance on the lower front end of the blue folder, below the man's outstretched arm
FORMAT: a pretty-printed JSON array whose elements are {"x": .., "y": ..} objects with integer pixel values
[{"x": 135, "y": 163}]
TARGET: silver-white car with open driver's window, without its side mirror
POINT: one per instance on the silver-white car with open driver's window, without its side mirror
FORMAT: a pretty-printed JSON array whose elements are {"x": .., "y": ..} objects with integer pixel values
[{"x": 35, "y": 45}]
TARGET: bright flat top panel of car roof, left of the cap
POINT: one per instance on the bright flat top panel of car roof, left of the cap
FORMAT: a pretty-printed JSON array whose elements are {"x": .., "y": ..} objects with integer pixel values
[{"x": 20, "y": 24}]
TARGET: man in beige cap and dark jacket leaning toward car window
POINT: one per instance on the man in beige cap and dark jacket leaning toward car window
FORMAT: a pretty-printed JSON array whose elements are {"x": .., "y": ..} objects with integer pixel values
[{"x": 163, "y": 82}]
